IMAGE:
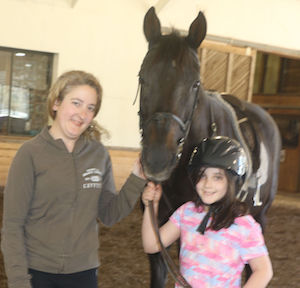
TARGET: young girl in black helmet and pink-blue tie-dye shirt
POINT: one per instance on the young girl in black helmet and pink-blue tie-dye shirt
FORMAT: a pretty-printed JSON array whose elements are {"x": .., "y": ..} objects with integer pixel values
[{"x": 218, "y": 236}]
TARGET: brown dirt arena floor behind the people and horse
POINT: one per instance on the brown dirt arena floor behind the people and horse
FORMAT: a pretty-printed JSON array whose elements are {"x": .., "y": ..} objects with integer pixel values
[{"x": 125, "y": 265}]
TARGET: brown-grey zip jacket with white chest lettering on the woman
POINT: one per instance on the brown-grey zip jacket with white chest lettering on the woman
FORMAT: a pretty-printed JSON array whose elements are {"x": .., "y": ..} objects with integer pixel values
[{"x": 52, "y": 201}]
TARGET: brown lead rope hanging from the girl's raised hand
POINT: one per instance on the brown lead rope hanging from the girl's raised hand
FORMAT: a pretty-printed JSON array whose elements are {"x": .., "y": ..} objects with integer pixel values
[{"x": 172, "y": 268}]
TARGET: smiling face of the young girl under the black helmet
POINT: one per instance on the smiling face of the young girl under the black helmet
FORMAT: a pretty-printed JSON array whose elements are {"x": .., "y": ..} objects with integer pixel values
[{"x": 212, "y": 185}]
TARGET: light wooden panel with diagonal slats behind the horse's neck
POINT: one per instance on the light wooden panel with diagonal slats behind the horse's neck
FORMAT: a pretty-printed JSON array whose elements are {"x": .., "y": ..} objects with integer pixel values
[{"x": 225, "y": 68}]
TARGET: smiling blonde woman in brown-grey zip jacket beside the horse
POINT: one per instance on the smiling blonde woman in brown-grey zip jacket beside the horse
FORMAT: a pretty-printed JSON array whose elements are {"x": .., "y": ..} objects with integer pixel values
[{"x": 59, "y": 184}]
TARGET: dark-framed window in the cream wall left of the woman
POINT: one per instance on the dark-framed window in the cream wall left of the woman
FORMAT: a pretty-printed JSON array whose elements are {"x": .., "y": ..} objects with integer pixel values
[{"x": 25, "y": 78}]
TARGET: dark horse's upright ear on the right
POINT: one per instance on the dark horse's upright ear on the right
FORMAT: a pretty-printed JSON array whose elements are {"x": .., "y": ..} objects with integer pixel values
[{"x": 197, "y": 31}]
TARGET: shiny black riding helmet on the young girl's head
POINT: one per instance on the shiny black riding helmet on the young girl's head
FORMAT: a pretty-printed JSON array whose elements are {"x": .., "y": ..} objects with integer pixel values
[{"x": 222, "y": 152}]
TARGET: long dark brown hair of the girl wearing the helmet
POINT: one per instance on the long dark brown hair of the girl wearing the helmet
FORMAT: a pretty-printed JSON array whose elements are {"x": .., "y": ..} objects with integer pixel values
[{"x": 226, "y": 209}]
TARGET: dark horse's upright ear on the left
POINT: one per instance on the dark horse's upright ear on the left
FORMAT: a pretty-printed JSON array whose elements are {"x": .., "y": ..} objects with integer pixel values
[{"x": 151, "y": 26}]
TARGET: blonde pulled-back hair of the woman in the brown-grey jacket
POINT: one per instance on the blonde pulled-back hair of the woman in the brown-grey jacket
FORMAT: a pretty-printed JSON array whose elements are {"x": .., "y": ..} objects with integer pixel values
[{"x": 64, "y": 85}]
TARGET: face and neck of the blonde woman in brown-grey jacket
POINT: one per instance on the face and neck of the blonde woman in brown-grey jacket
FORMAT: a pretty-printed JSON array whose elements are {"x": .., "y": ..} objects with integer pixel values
[{"x": 75, "y": 113}]
